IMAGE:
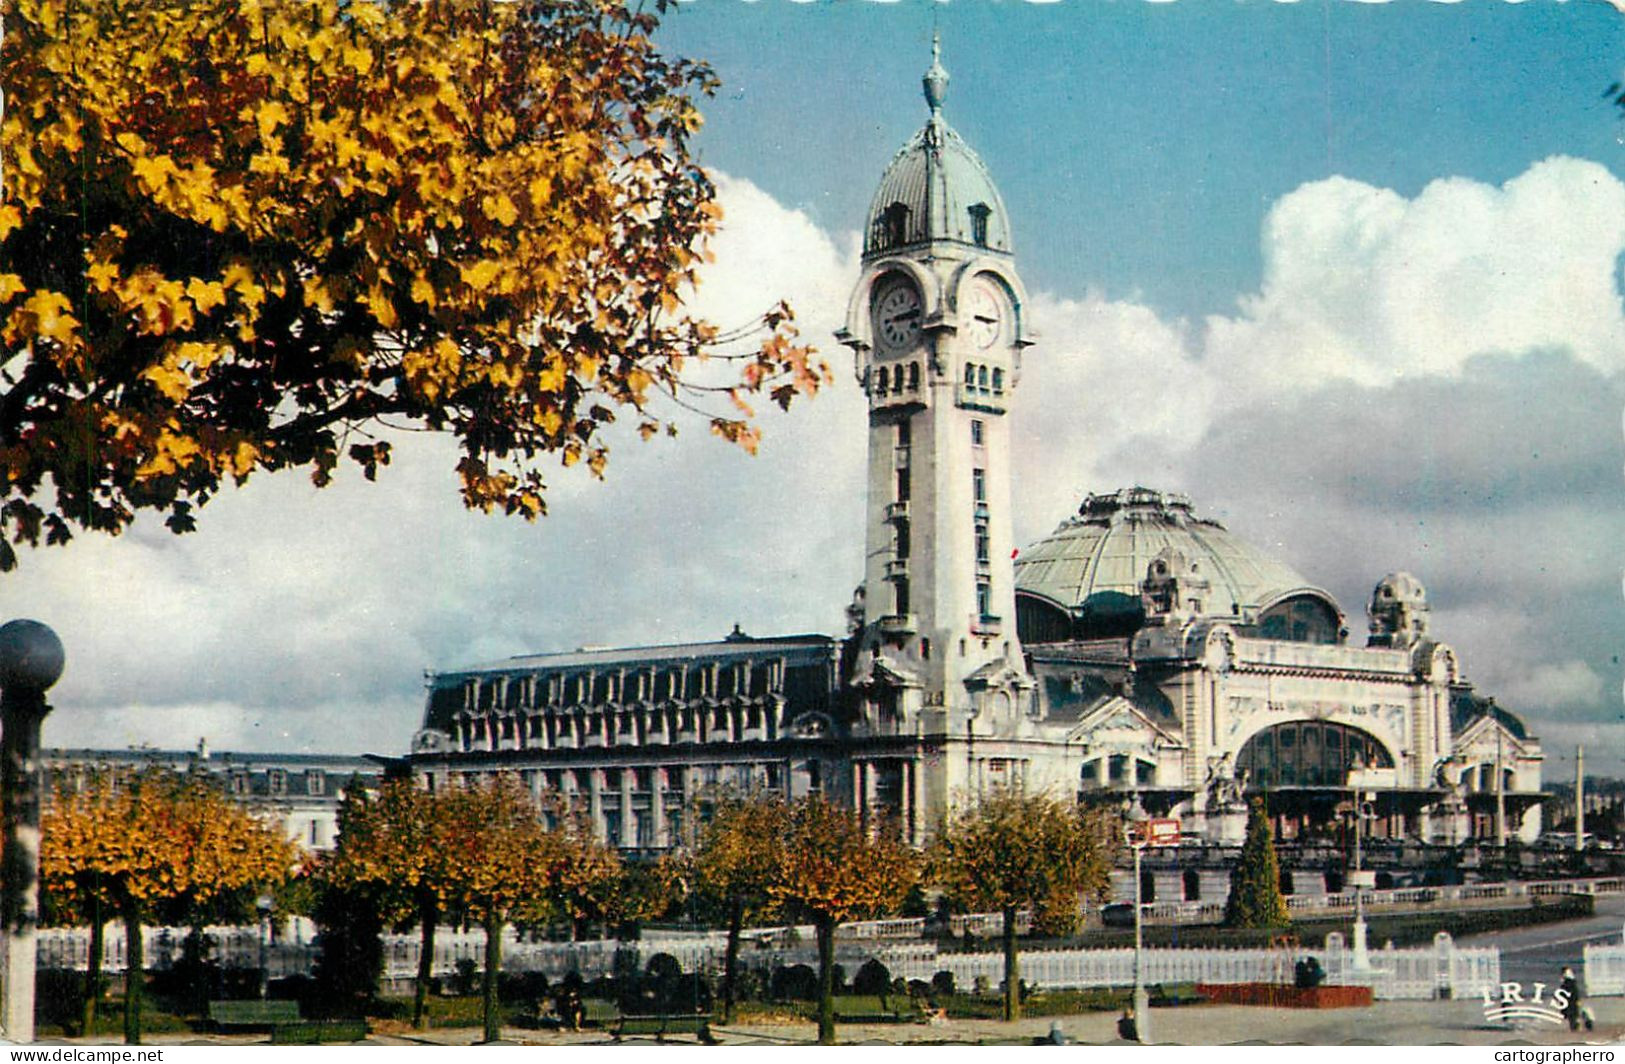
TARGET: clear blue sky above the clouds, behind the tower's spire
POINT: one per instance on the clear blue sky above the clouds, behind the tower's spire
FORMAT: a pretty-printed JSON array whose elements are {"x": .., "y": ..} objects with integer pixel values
[{"x": 1146, "y": 141}]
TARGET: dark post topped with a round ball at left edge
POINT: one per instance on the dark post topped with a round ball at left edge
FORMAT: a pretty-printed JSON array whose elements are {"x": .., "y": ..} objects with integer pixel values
[{"x": 32, "y": 660}]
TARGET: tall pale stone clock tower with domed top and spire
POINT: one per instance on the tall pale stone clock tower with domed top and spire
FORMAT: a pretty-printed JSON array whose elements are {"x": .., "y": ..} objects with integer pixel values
[{"x": 937, "y": 326}]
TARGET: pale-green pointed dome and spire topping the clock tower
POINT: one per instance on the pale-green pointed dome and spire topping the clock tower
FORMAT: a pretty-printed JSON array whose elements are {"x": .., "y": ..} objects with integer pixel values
[{"x": 937, "y": 188}]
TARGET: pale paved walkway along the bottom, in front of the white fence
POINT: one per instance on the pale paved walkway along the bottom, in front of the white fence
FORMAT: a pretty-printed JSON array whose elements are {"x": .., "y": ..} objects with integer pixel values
[{"x": 1390, "y": 1023}]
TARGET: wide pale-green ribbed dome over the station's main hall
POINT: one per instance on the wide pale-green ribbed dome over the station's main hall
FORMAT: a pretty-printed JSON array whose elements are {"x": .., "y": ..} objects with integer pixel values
[{"x": 1094, "y": 568}]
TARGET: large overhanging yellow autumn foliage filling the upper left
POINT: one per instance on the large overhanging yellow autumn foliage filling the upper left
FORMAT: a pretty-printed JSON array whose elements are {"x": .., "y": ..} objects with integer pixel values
[{"x": 243, "y": 236}]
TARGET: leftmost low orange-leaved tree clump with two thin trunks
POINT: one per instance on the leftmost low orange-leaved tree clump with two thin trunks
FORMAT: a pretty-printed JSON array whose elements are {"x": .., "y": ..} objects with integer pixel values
[{"x": 131, "y": 844}]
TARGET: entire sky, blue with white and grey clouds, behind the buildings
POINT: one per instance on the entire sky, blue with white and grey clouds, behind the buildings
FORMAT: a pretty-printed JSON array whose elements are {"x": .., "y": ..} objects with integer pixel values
[{"x": 1346, "y": 274}]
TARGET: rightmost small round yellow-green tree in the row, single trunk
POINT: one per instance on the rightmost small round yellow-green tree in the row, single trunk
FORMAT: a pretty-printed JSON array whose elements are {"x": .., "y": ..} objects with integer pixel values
[{"x": 1012, "y": 852}]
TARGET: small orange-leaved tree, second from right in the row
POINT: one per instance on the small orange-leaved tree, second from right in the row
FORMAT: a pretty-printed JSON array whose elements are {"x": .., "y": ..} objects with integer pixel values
[{"x": 838, "y": 868}]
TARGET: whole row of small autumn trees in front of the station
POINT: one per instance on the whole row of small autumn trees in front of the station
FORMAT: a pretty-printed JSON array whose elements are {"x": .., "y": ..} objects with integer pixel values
[{"x": 171, "y": 849}]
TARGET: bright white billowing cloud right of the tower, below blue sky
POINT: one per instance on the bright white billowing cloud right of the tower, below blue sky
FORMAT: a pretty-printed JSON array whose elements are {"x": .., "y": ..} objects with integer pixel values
[{"x": 1363, "y": 285}]
